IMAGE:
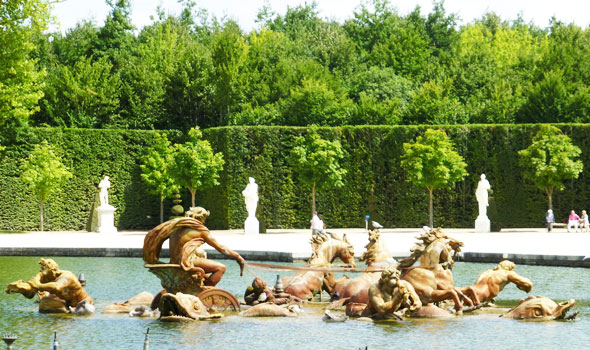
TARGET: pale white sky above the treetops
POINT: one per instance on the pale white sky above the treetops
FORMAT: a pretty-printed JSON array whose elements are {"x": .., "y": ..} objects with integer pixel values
[{"x": 70, "y": 12}]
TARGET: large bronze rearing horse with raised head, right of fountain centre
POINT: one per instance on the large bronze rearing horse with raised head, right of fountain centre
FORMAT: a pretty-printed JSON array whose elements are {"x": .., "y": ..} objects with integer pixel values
[{"x": 429, "y": 269}]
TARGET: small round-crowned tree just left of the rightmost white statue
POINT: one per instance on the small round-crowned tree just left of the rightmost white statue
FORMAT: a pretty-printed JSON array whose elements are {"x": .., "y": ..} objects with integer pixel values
[{"x": 432, "y": 162}]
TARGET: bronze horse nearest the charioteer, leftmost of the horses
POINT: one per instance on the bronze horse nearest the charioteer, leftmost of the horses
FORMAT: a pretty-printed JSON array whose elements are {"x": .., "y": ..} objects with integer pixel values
[{"x": 326, "y": 249}]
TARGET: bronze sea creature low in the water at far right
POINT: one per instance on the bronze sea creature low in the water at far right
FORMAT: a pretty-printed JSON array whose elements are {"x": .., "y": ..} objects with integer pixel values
[{"x": 541, "y": 309}]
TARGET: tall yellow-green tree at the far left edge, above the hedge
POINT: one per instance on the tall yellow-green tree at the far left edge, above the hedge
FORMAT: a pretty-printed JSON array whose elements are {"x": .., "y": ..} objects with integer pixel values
[{"x": 21, "y": 83}]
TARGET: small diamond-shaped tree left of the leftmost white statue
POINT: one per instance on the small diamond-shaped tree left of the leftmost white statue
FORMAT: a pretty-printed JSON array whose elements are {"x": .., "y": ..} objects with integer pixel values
[{"x": 43, "y": 172}]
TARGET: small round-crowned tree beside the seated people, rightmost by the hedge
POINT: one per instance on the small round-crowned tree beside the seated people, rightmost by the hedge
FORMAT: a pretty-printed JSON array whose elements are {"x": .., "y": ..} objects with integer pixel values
[{"x": 550, "y": 160}]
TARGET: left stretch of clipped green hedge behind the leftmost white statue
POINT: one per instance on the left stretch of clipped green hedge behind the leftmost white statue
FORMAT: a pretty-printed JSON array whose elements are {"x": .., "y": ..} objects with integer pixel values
[{"x": 90, "y": 155}]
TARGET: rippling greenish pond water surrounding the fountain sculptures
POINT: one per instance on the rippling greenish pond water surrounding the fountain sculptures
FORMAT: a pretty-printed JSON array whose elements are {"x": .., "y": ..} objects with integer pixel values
[{"x": 112, "y": 280}]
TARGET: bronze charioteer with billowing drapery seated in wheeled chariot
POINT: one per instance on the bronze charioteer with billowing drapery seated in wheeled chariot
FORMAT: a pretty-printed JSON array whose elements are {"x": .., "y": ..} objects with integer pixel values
[{"x": 189, "y": 271}]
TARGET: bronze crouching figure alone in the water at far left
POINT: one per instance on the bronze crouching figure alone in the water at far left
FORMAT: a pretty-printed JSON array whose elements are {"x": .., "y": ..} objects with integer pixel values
[{"x": 59, "y": 290}]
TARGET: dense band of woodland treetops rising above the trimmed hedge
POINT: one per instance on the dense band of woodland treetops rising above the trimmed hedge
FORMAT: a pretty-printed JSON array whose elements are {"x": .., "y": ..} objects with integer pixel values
[{"x": 379, "y": 66}]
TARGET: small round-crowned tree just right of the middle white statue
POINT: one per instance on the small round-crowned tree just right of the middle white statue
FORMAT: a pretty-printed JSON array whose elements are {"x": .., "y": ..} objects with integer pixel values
[{"x": 317, "y": 161}]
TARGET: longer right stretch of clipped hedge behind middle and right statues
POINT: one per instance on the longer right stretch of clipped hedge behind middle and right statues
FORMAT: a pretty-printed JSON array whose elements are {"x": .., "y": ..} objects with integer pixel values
[{"x": 377, "y": 186}]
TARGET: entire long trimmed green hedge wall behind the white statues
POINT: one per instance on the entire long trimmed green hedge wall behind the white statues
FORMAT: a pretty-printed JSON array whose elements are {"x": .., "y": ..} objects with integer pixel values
[{"x": 374, "y": 185}]
